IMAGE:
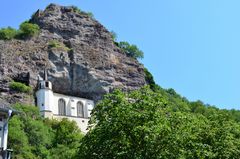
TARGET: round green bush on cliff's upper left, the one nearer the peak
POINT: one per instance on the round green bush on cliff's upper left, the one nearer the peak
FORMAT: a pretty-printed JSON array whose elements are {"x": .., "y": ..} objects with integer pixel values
[{"x": 27, "y": 30}]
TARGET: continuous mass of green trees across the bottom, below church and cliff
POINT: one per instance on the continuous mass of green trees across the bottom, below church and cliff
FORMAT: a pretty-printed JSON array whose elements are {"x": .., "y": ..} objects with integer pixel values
[{"x": 139, "y": 124}]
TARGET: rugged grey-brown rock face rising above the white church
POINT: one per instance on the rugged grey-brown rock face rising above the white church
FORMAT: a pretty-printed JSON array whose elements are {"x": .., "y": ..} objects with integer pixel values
[{"x": 85, "y": 64}]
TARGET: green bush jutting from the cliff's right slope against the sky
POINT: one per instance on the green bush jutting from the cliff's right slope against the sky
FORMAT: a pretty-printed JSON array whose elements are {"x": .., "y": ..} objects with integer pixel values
[{"x": 131, "y": 50}]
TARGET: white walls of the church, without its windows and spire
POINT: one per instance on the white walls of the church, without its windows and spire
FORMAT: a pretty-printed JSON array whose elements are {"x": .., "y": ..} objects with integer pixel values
[{"x": 50, "y": 101}]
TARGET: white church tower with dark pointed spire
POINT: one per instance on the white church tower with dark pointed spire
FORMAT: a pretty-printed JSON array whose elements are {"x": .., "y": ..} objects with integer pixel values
[{"x": 44, "y": 95}]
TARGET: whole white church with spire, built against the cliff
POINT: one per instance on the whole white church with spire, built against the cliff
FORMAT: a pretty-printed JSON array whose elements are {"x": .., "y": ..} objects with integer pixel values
[{"x": 58, "y": 106}]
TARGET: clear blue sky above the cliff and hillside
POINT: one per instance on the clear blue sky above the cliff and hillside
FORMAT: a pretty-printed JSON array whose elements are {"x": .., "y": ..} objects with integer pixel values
[{"x": 191, "y": 46}]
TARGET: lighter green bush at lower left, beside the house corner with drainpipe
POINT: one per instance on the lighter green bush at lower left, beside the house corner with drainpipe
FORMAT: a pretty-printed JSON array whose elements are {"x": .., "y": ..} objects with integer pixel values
[{"x": 28, "y": 136}]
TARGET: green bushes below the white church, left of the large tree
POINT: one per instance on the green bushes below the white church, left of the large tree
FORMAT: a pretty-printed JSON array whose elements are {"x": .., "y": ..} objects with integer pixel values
[{"x": 32, "y": 137}]
